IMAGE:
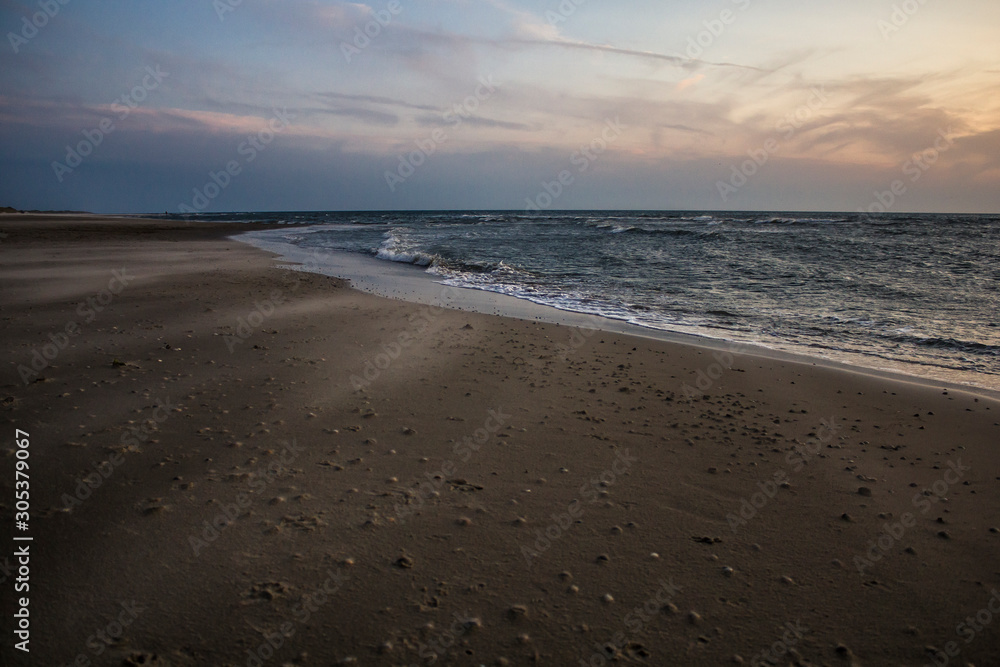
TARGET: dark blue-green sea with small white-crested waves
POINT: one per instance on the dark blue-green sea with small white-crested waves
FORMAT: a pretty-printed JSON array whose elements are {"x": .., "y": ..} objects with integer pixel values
[{"x": 912, "y": 293}]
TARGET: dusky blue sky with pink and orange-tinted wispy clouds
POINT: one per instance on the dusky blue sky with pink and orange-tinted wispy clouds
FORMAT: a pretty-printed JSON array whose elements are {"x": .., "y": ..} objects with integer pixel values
[{"x": 120, "y": 106}]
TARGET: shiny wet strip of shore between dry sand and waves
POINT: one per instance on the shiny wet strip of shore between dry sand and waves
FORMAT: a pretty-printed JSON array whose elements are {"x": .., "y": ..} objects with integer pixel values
[{"x": 412, "y": 283}]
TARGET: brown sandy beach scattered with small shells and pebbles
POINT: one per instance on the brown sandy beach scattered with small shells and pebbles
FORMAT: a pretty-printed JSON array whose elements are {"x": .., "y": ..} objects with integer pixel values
[{"x": 483, "y": 491}]
